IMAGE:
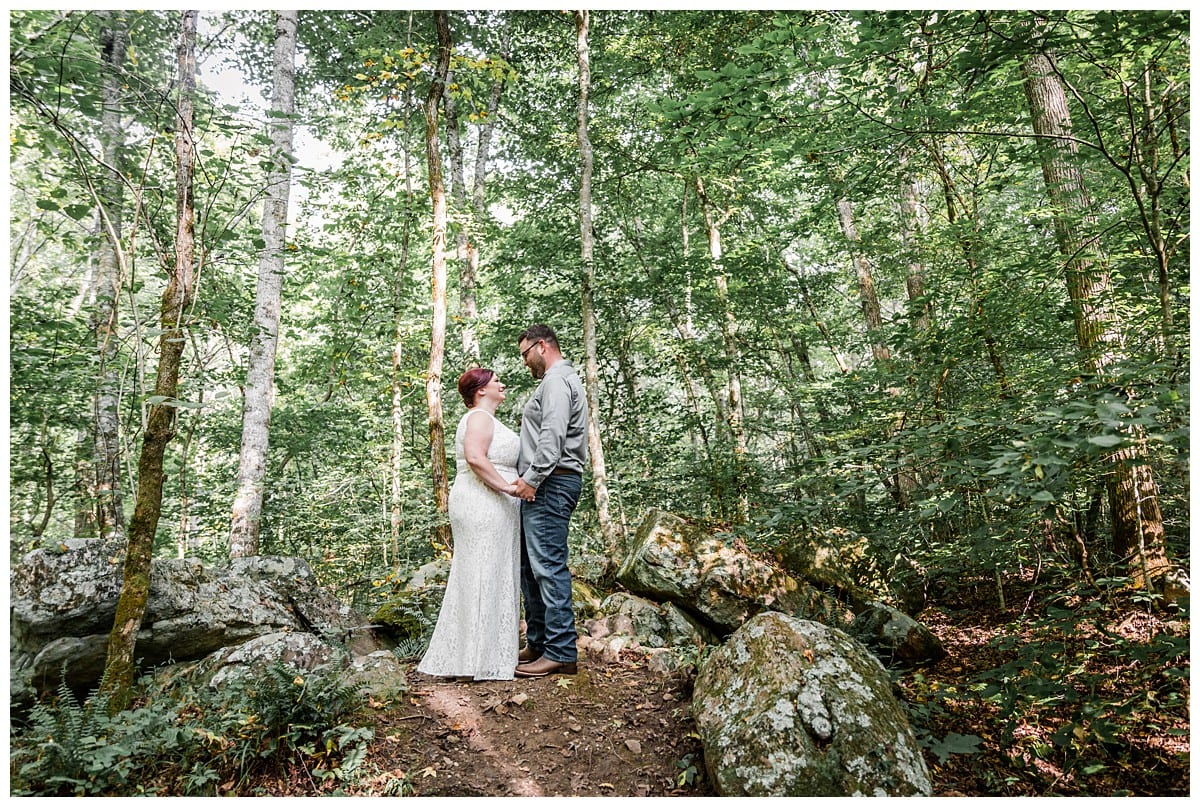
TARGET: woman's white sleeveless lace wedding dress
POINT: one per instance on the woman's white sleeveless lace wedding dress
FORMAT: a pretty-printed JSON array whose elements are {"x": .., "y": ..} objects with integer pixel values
[{"x": 478, "y": 629}]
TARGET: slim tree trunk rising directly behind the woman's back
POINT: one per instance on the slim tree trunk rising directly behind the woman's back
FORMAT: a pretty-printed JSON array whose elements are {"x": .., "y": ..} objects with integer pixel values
[{"x": 442, "y": 537}]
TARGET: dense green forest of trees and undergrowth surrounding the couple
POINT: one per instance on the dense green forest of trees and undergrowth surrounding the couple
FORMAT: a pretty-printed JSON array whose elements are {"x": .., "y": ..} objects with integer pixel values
[{"x": 914, "y": 285}]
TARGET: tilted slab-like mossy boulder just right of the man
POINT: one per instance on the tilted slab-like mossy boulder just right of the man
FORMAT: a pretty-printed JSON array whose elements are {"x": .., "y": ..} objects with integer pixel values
[{"x": 673, "y": 561}]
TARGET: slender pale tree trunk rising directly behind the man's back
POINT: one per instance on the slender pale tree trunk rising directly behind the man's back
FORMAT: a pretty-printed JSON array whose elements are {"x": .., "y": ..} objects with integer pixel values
[{"x": 609, "y": 529}]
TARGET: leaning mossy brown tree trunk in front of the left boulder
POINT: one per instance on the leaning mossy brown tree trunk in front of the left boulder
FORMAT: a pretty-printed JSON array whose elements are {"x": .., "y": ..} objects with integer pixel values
[{"x": 177, "y": 298}]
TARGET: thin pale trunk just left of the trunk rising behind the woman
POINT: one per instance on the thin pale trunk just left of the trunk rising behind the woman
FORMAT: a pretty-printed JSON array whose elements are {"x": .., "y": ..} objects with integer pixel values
[{"x": 400, "y": 333}]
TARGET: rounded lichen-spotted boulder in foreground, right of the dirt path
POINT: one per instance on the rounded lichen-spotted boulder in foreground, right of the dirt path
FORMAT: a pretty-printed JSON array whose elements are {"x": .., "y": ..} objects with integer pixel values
[{"x": 794, "y": 708}]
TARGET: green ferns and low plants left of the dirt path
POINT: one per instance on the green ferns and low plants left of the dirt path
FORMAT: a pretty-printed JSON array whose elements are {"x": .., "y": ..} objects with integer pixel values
[{"x": 185, "y": 743}]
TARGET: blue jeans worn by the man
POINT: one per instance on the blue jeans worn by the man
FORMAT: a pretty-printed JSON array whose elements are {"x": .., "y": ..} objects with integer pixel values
[{"x": 545, "y": 578}]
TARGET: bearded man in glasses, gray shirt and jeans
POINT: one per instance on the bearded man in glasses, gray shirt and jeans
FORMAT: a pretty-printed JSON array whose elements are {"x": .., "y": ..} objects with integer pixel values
[{"x": 554, "y": 453}]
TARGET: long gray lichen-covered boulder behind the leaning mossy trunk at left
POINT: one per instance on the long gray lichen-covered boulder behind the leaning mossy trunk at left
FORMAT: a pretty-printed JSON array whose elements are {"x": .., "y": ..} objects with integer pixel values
[{"x": 63, "y": 605}]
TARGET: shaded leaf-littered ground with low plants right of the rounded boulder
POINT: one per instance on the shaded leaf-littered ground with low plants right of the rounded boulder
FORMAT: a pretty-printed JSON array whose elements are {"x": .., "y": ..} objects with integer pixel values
[{"x": 1065, "y": 694}]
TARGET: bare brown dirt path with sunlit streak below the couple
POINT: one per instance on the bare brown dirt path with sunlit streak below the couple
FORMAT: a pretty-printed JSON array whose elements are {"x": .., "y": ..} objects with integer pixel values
[{"x": 614, "y": 730}]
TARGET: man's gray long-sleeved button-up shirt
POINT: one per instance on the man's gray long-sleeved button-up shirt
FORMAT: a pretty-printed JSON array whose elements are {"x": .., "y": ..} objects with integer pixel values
[{"x": 555, "y": 426}]
